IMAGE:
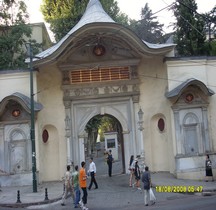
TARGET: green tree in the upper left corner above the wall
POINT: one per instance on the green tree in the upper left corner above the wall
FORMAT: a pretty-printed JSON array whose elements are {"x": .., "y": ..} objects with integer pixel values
[{"x": 13, "y": 30}]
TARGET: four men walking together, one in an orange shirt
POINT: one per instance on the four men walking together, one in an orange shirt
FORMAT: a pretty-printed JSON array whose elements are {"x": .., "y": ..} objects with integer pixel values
[{"x": 76, "y": 179}]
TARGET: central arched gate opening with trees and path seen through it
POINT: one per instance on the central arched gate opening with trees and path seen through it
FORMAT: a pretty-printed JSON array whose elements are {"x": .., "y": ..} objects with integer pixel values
[{"x": 96, "y": 145}]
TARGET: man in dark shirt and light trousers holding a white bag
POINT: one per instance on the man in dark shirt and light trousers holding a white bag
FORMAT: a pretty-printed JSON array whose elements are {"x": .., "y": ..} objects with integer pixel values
[{"x": 146, "y": 179}]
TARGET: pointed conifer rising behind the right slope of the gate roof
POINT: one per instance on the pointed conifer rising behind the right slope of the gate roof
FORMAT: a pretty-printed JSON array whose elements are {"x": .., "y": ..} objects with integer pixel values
[{"x": 148, "y": 28}]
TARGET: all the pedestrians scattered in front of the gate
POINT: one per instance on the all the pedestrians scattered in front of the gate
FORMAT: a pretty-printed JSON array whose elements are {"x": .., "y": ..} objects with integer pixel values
[{"x": 76, "y": 179}]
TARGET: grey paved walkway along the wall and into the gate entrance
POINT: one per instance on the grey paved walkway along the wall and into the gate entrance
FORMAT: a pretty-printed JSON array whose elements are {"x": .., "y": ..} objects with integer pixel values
[{"x": 117, "y": 183}]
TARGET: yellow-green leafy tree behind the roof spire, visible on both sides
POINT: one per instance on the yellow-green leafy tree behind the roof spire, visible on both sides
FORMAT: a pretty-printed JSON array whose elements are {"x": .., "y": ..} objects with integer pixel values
[{"x": 62, "y": 15}]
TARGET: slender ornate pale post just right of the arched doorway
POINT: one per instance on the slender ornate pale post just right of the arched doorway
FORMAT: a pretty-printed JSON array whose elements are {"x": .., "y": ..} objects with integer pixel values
[{"x": 140, "y": 124}]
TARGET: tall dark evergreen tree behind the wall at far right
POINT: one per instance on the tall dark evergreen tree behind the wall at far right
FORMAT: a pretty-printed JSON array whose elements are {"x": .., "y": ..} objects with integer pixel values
[{"x": 190, "y": 34}]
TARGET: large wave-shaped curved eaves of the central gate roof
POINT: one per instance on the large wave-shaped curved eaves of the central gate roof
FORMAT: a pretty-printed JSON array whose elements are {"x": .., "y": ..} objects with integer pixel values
[{"x": 101, "y": 29}]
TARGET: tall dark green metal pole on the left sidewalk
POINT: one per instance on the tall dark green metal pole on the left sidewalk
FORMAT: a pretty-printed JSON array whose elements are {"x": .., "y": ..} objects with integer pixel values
[{"x": 34, "y": 182}]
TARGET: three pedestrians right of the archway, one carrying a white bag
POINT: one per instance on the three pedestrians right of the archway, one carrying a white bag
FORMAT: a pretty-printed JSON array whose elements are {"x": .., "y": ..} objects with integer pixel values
[{"x": 144, "y": 177}]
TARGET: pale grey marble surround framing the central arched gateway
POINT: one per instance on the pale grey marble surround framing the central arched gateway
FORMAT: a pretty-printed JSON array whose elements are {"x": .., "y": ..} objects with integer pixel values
[{"x": 81, "y": 112}]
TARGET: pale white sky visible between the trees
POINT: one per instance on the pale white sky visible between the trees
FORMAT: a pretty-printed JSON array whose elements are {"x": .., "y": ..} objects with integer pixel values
[{"x": 132, "y": 8}]
